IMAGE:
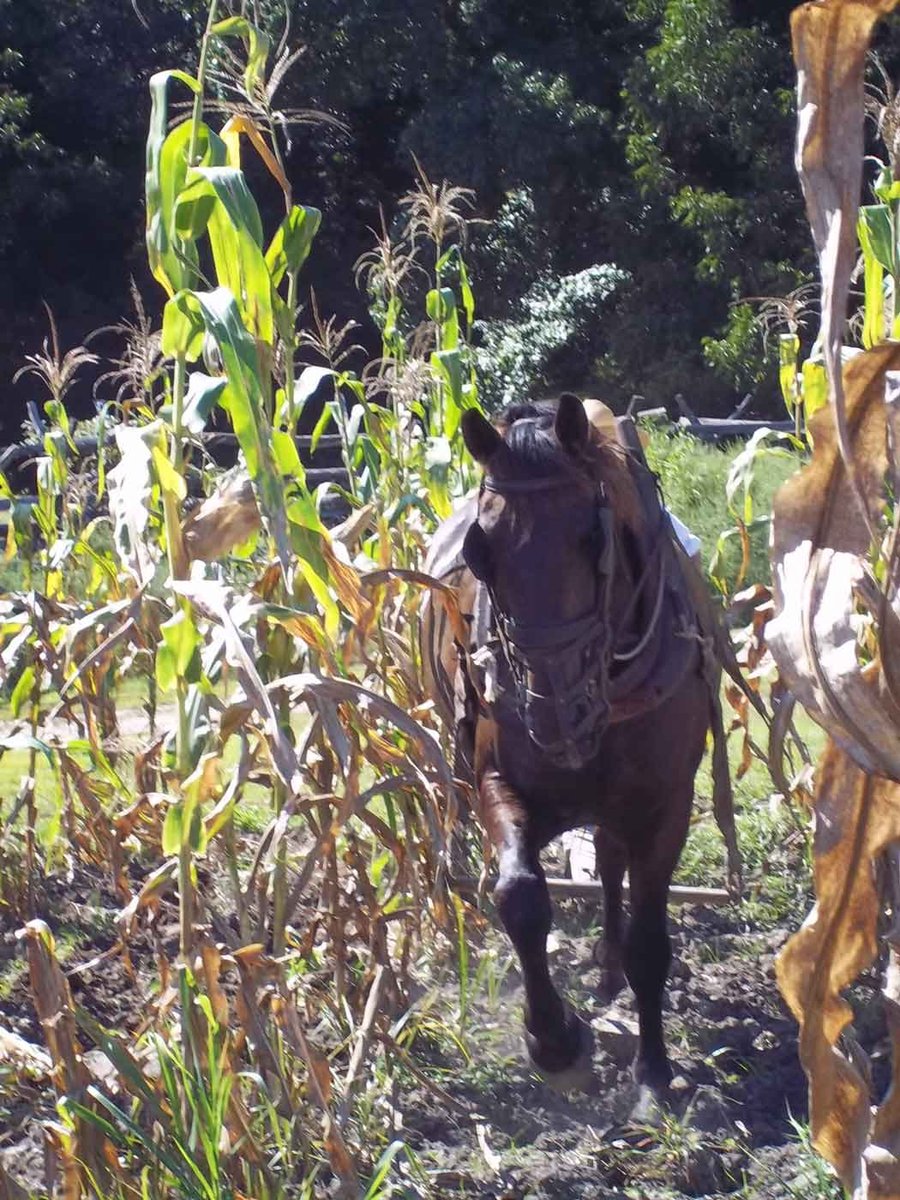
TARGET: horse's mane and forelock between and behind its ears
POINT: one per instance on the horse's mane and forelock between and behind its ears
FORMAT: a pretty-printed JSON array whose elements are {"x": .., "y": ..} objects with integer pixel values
[{"x": 527, "y": 429}]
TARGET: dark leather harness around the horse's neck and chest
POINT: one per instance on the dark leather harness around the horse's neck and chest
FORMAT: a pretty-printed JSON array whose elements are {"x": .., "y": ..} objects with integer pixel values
[{"x": 593, "y": 679}]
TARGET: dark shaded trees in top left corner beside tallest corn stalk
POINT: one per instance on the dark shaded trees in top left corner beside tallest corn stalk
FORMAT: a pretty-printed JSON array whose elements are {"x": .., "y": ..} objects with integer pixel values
[{"x": 74, "y": 109}]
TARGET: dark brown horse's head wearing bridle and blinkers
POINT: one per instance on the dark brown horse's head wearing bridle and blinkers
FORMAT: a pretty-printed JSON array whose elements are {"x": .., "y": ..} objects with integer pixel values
[{"x": 542, "y": 545}]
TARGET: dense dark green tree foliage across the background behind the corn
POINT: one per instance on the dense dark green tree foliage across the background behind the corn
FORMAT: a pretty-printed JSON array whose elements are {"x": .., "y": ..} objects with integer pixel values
[{"x": 651, "y": 137}]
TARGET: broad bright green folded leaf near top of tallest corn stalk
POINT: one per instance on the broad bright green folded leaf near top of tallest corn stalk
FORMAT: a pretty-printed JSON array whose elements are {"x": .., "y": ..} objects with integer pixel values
[{"x": 219, "y": 202}]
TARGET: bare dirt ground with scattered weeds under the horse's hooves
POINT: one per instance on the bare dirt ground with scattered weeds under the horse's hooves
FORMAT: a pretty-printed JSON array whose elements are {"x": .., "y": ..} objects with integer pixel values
[{"x": 739, "y": 1084}]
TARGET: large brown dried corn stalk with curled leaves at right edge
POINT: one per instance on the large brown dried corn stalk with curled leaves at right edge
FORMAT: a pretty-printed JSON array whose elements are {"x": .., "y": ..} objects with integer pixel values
[{"x": 836, "y": 634}]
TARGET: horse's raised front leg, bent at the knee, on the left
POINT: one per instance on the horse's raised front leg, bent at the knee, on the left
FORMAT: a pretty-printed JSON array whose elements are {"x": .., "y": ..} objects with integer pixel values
[{"x": 559, "y": 1042}]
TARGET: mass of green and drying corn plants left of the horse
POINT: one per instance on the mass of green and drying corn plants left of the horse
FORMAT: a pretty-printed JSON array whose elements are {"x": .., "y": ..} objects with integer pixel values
[{"x": 275, "y": 658}]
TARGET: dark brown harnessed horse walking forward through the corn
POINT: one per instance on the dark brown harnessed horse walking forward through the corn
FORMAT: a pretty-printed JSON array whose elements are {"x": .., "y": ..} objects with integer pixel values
[{"x": 587, "y": 705}]
